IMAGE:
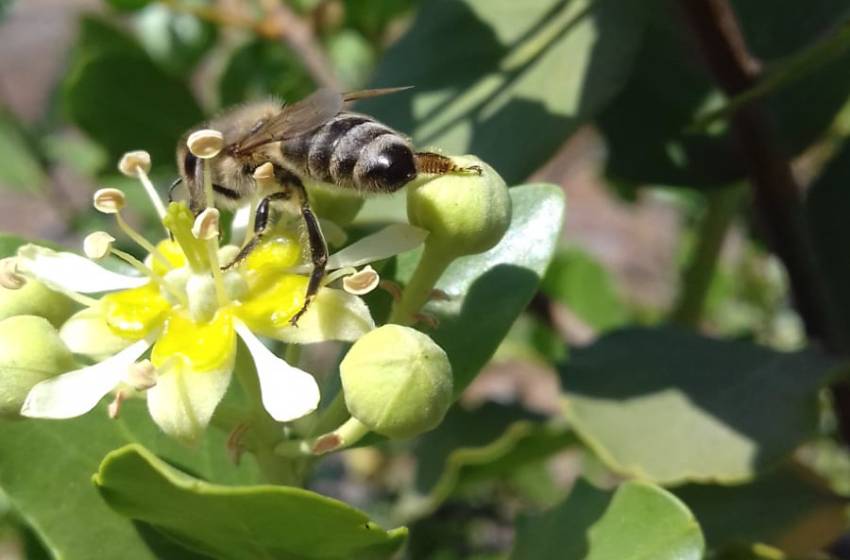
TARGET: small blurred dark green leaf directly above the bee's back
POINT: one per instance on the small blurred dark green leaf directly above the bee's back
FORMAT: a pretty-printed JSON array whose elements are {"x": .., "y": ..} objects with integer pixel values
[{"x": 262, "y": 67}]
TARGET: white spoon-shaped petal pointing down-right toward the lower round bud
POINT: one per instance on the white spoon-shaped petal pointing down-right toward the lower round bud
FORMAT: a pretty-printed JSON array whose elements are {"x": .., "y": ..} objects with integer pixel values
[{"x": 288, "y": 392}]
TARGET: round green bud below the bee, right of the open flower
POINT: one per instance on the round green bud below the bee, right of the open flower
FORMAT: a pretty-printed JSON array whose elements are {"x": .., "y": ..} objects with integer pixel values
[{"x": 397, "y": 381}]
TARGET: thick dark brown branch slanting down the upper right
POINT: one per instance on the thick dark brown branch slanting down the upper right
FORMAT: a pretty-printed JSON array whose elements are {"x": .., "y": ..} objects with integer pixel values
[{"x": 776, "y": 192}]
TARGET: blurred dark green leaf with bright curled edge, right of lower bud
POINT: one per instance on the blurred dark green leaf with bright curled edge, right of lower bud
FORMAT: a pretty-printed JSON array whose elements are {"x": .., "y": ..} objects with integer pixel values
[{"x": 489, "y": 442}]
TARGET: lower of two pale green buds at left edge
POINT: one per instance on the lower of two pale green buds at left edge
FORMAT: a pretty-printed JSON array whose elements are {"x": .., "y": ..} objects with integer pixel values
[{"x": 30, "y": 351}]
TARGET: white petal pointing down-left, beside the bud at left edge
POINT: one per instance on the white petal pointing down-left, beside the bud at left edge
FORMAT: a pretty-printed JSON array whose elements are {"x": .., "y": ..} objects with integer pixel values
[{"x": 75, "y": 393}]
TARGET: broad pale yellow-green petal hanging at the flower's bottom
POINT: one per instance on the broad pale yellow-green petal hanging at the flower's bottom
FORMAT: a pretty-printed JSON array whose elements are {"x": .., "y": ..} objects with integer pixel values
[{"x": 183, "y": 401}]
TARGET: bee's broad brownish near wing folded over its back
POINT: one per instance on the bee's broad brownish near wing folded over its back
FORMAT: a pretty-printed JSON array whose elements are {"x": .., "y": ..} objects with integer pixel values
[{"x": 293, "y": 120}]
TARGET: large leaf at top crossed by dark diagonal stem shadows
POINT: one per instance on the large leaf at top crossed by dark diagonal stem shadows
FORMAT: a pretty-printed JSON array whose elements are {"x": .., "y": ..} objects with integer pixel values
[{"x": 507, "y": 81}]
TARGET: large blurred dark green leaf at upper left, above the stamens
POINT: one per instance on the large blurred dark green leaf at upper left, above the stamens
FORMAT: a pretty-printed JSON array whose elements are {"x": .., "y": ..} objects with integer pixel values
[{"x": 121, "y": 99}]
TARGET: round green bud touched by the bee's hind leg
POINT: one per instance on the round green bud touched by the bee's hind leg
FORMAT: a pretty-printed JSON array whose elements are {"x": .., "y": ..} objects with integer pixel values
[{"x": 465, "y": 212}]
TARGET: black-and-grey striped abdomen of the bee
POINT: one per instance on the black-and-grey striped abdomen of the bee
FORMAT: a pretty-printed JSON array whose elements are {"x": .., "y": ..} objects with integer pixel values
[{"x": 353, "y": 151}]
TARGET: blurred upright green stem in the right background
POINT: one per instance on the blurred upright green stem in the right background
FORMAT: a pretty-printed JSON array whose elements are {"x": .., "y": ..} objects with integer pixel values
[{"x": 696, "y": 280}]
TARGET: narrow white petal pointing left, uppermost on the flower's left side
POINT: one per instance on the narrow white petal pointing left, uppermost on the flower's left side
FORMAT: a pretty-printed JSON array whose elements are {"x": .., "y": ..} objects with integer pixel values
[{"x": 72, "y": 273}]
